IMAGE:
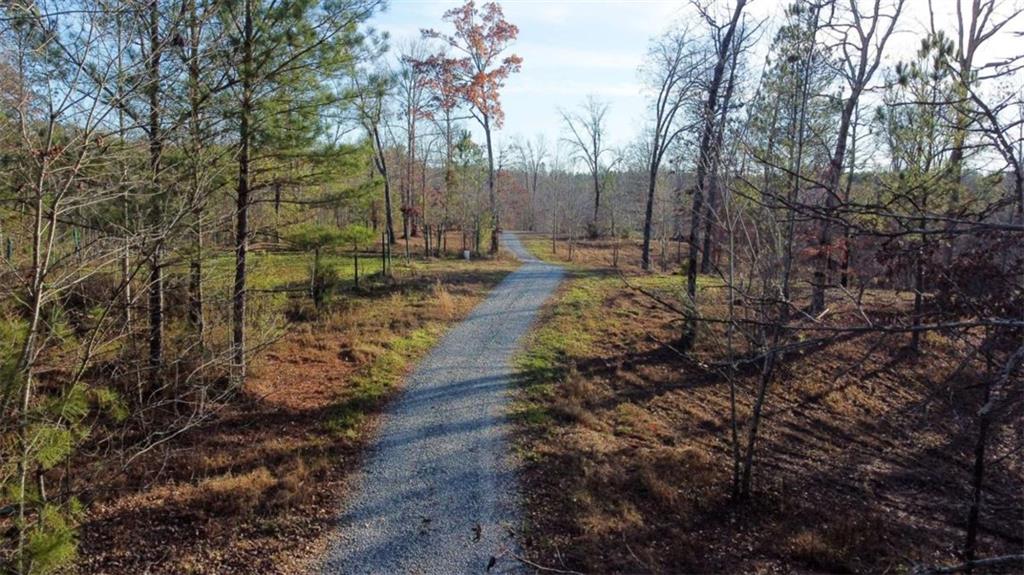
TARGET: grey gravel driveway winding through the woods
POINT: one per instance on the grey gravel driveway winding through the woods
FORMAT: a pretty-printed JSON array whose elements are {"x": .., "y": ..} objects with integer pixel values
[{"x": 438, "y": 494}]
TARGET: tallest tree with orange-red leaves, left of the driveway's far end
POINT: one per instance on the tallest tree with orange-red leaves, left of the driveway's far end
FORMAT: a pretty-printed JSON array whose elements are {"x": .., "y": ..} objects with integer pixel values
[{"x": 478, "y": 71}]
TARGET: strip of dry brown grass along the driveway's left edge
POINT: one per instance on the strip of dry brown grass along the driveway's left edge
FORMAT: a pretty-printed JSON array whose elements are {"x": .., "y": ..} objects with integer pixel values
[{"x": 259, "y": 488}]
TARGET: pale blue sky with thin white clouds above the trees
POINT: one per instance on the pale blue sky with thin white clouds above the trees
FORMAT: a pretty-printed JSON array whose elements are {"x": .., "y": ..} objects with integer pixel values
[{"x": 573, "y": 49}]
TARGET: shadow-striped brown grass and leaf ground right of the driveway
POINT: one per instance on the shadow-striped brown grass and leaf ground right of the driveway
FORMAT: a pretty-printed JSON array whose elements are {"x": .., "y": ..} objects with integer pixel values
[{"x": 864, "y": 461}]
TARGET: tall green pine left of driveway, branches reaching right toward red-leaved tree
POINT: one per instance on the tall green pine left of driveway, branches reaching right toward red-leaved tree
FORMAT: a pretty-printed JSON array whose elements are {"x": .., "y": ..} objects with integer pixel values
[{"x": 285, "y": 56}]
